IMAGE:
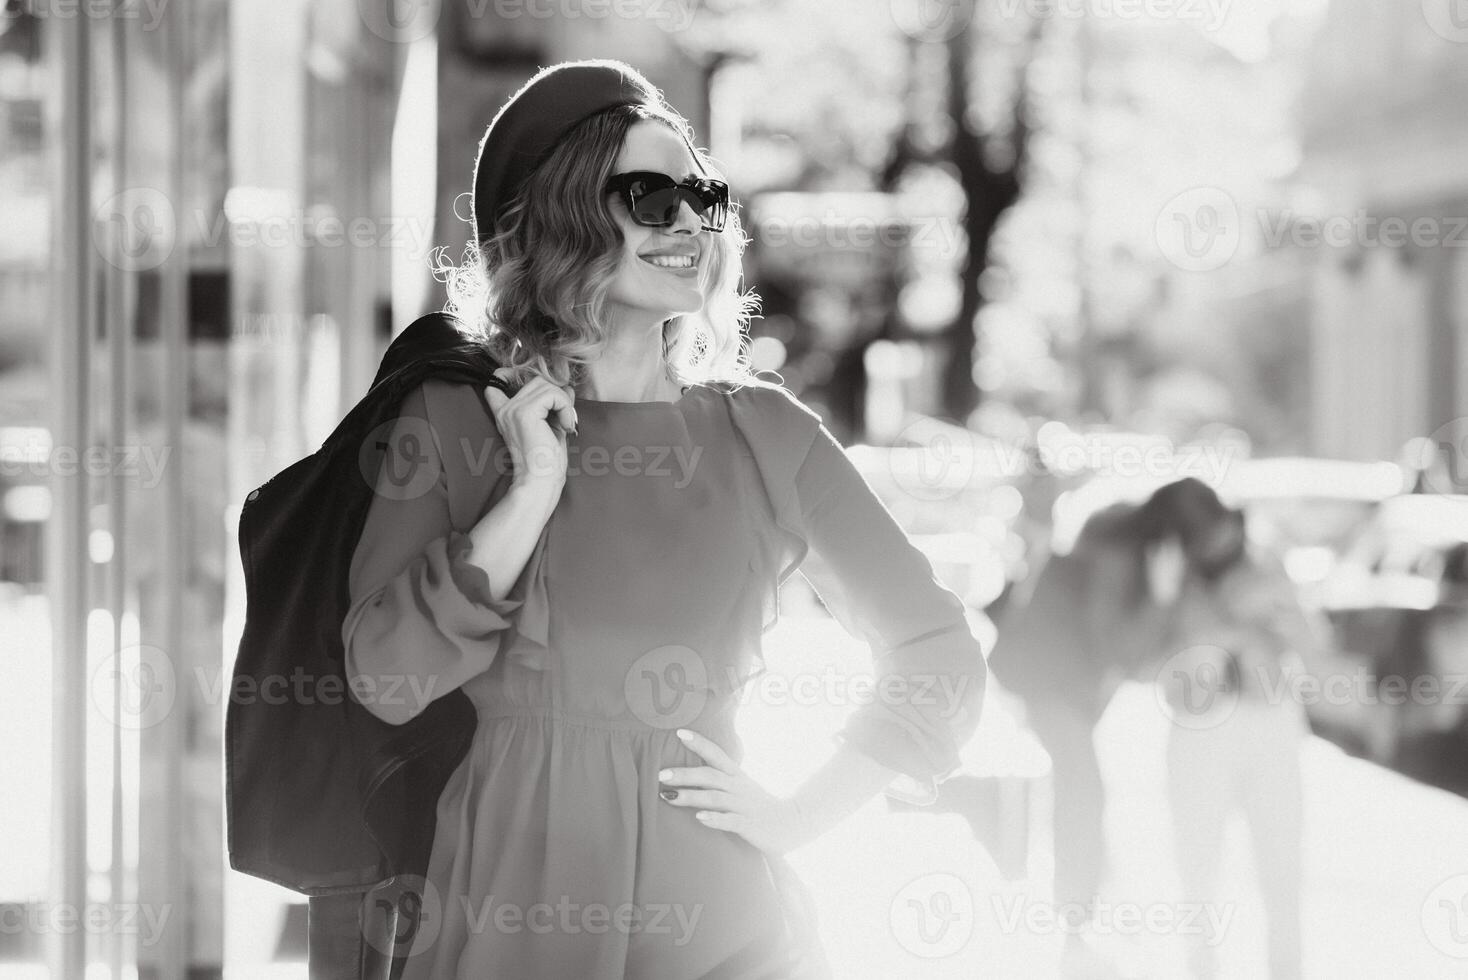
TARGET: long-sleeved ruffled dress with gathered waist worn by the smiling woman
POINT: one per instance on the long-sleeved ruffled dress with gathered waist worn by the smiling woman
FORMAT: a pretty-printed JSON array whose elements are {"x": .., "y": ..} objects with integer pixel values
[{"x": 639, "y": 612}]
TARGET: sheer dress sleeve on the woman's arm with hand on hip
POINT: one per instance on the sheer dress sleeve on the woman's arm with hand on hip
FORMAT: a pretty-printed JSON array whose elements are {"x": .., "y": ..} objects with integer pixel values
[{"x": 930, "y": 671}]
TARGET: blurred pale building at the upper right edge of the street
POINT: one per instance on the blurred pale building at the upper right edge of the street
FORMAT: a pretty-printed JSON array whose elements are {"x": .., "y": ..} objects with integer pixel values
[{"x": 1385, "y": 125}]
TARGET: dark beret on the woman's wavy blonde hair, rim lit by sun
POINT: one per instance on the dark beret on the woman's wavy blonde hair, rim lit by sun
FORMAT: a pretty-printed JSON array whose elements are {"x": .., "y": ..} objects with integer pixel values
[{"x": 528, "y": 127}]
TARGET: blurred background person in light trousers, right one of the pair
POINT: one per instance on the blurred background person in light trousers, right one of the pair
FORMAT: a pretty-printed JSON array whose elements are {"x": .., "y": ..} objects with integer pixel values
[{"x": 1238, "y": 633}]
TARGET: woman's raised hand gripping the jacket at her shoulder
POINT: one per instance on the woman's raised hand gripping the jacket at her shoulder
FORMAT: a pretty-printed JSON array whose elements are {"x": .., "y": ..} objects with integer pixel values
[{"x": 534, "y": 425}]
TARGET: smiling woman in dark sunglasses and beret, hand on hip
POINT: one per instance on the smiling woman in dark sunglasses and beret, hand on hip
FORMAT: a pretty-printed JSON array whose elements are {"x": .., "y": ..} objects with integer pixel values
[{"x": 601, "y": 599}]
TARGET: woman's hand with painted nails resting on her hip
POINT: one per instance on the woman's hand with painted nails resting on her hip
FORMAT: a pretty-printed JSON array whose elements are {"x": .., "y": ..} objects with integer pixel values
[{"x": 727, "y": 799}]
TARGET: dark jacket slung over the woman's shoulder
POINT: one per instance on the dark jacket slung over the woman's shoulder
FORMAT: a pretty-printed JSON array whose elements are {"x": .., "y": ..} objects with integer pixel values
[{"x": 321, "y": 796}]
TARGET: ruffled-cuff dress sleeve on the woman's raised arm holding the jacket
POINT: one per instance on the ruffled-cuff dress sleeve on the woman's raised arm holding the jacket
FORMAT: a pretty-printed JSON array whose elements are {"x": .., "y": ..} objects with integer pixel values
[{"x": 422, "y": 618}]
